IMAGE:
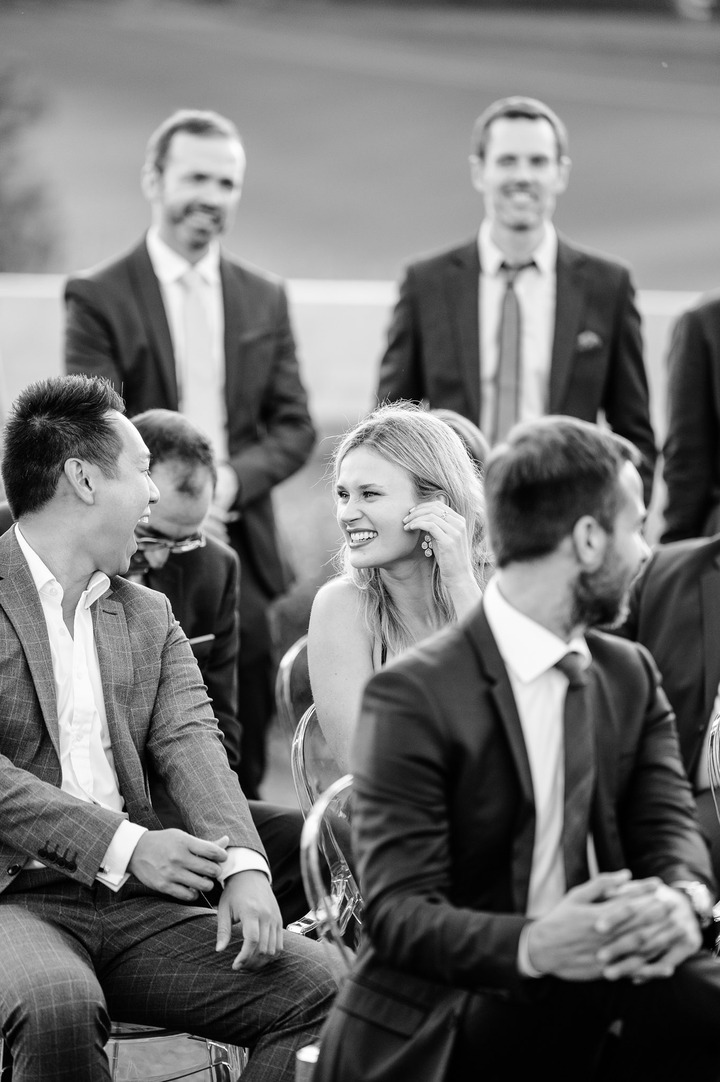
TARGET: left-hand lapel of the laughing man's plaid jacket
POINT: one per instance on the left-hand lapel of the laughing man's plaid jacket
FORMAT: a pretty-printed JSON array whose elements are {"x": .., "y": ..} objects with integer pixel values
[{"x": 22, "y": 605}]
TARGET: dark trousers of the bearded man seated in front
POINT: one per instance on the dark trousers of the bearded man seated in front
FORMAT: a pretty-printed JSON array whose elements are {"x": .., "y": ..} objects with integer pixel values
[{"x": 665, "y": 1031}]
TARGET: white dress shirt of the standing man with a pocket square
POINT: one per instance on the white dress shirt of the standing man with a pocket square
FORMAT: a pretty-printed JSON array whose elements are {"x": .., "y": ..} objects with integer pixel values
[{"x": 536, "y": 295}]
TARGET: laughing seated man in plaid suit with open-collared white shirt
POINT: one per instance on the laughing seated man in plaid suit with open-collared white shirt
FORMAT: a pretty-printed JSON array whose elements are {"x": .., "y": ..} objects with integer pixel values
[{"x": 101, "y": 909}]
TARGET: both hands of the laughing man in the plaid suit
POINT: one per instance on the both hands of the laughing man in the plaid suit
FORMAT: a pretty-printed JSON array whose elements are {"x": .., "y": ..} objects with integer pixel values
[{"x": 182, "y": 866}]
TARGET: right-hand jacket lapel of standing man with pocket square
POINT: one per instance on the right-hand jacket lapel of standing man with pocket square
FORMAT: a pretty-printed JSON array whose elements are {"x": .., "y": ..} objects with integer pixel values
[{"x": 570, "y": 299}]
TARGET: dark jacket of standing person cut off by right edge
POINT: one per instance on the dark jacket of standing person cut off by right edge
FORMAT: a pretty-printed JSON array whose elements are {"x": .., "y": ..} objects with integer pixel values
[{"x": 692, "y": 446}]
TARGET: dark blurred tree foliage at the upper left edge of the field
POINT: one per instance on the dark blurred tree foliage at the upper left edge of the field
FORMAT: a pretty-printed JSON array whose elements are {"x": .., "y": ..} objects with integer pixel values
[{"x": 29, "y": 230}]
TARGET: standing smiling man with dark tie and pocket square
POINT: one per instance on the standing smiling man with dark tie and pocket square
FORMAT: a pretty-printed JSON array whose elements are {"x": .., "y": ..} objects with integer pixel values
[{"x": 573, "y": 341}]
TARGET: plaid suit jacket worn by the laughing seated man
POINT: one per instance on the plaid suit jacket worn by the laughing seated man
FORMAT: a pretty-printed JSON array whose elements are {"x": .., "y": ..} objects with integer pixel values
[{"x": 158, "y": 710}]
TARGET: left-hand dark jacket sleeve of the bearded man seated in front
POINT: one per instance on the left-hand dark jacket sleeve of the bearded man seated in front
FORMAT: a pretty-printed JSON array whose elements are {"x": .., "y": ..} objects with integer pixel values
[{"x": 402, "y": 827}]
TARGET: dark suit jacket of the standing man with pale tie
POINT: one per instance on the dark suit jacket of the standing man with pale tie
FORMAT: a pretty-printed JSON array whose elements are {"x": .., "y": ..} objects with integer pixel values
[{"x": 116, "y": 326}]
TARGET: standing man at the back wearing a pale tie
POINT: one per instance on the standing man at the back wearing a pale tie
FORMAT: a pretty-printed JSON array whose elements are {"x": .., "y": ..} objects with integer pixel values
[{"x": 176, "y": 324}]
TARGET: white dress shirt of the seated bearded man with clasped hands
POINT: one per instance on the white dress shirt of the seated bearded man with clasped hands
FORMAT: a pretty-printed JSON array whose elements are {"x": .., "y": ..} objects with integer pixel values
[{"x": 530, "y": 653}]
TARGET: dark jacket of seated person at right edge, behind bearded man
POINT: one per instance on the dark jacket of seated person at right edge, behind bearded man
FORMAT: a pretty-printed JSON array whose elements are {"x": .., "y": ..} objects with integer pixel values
[{"x": 675, "y": 613}]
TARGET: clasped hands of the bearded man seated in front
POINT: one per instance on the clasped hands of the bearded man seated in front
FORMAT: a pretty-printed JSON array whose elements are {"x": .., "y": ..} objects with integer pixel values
[{"x": 614, "y": 927}]
